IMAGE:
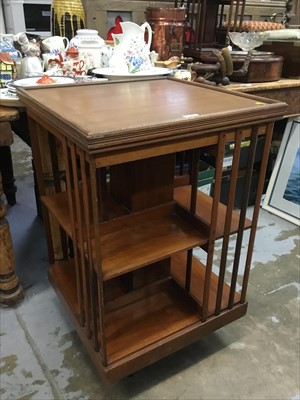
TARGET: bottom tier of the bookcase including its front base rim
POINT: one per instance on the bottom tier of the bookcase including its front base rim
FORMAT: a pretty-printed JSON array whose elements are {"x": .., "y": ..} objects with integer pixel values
[{"x": 145, "y": 330}]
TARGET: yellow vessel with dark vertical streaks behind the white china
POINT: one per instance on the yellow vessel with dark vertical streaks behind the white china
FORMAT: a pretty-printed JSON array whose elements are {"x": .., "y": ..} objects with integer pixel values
[{"x": 67, "y": 16}]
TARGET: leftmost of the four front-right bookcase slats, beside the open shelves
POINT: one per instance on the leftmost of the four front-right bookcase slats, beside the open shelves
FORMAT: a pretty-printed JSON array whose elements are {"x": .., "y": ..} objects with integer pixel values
[{"x": 213, "y": 224}]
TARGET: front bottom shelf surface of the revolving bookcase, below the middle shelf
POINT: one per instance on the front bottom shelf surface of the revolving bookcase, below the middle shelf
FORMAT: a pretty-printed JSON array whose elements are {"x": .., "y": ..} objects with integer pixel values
[{"x": 149, "y": 320}]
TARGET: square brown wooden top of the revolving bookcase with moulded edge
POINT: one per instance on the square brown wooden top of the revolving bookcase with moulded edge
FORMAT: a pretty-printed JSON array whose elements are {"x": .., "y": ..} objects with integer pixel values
[{"x": 107, "y": 115}]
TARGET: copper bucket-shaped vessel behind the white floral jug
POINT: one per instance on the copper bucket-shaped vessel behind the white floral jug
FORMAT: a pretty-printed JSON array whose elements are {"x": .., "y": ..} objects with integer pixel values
[{"x": 168, "y": 26}]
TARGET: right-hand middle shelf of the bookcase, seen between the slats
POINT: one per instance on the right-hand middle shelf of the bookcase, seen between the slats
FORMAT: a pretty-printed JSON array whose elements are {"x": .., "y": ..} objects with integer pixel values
[{"x": 182, "y": 195}]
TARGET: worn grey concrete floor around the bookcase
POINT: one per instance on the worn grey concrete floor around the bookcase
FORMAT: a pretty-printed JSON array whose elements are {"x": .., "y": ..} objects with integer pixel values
[{"x": 256, "y": 357}]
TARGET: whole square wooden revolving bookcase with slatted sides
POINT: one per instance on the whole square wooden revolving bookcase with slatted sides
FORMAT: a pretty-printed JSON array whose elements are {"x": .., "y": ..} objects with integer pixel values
[{"x": 129, "y": 281}]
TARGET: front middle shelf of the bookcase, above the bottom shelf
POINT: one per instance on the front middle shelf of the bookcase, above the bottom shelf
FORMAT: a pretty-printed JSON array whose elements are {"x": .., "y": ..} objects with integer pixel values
[{"x": 140, "y": 239}]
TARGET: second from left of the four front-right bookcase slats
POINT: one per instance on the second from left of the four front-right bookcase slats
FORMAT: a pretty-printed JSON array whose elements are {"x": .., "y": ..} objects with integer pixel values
[{"x": 228, "y": 218}]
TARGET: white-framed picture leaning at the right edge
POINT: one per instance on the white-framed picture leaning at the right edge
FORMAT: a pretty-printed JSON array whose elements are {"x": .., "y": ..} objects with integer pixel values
[{"x": 283, "y": 192}]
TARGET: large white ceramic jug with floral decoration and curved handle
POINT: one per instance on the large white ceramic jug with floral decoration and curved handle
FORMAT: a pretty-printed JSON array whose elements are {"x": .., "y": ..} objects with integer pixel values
[{"x": 131, "y": 52}]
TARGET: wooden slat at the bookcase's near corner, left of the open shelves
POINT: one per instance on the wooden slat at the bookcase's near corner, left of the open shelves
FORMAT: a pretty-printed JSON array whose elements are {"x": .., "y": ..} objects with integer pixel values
[{"x": 95, "y": 200}]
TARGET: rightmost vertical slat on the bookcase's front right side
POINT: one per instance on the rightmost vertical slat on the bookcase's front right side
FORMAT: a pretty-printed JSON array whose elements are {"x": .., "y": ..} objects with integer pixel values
[{"x": 260, "y": 187}]
